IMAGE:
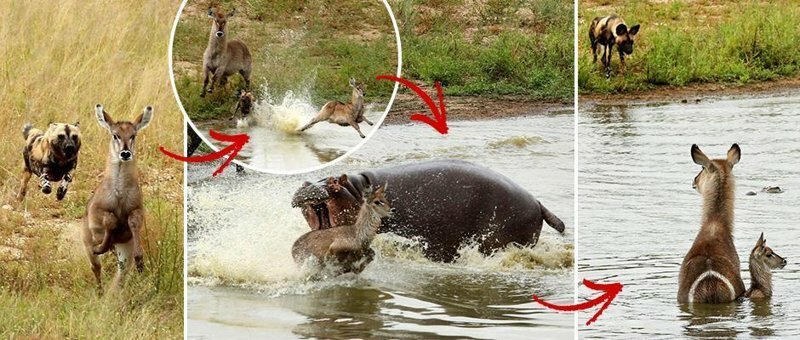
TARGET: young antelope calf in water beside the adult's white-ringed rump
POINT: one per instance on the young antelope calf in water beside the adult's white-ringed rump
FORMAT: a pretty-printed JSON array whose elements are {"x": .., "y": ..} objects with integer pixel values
[{"x": 762, "y": 261}]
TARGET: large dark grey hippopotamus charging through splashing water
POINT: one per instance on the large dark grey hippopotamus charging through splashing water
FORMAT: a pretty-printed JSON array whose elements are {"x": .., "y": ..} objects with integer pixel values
[{"x": 443, "y": 203}]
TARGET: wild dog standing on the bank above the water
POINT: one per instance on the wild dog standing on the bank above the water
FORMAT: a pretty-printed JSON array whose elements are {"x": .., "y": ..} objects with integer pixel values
[{"x": 611, "y": 31}]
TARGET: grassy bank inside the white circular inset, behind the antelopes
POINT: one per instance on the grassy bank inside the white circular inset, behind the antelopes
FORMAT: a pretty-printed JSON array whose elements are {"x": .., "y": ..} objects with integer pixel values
[{"x": 310, "y": 48}]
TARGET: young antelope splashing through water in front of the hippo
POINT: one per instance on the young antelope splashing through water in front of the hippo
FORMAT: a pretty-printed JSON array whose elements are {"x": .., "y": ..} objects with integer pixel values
[{"x": 346, "y": 246}]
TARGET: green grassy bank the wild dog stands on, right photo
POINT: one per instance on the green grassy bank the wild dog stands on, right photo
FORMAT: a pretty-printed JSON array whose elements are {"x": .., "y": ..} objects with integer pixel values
[{"x": 691, "y": 42}]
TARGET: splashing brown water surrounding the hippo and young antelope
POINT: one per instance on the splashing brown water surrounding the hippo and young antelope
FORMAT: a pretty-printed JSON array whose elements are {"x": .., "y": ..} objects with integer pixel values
[{"x": 243, "y": 281}]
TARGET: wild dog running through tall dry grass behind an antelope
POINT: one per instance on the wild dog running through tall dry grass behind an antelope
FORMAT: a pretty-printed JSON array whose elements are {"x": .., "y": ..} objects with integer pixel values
[{"x": 51, "y": 155}]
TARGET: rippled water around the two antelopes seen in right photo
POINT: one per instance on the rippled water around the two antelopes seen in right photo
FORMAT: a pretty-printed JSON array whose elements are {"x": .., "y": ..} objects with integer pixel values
[{"x": 639, "y": 214}]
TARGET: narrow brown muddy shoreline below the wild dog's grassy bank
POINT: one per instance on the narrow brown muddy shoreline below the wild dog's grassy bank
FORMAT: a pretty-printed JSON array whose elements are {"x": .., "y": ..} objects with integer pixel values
[{"x": 691, "y": 93}]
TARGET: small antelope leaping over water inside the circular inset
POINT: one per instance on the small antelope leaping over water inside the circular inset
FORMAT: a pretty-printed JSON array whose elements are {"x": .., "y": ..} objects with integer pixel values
[{"x": 350, "y": 114}]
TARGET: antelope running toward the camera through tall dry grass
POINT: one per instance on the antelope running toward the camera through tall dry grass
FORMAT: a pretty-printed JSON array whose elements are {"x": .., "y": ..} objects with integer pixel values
[{"x": 115, "y": 215}]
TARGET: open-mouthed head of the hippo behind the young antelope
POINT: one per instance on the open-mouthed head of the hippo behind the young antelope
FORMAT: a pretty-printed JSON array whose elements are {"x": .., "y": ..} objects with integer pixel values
[{"x": 329, "y": 203}]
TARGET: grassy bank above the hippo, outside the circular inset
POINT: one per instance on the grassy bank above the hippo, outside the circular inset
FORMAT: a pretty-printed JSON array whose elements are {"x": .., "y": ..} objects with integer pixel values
[{"x": 489, "y": 47}]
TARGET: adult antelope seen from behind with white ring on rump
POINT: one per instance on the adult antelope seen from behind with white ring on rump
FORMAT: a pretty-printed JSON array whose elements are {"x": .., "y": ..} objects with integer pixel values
[{"x": 710, "y": 271}]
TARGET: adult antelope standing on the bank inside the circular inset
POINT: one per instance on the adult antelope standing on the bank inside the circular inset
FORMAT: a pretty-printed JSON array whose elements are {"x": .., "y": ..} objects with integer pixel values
[{"x": 222, "y": 57}]
